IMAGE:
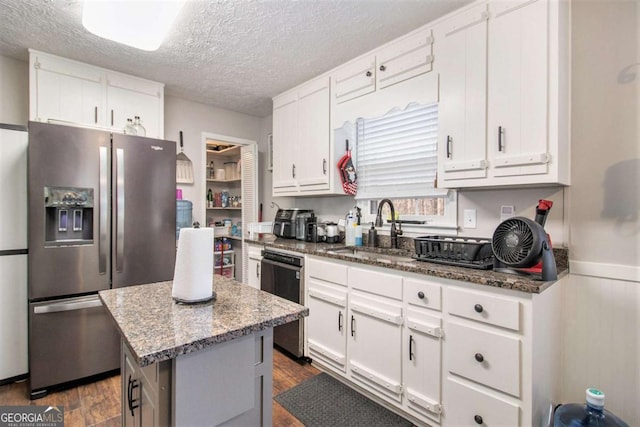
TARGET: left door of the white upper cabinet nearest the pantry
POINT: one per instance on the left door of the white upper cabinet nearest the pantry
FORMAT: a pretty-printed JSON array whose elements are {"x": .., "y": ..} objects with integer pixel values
[{"x": 285, "y": 140}]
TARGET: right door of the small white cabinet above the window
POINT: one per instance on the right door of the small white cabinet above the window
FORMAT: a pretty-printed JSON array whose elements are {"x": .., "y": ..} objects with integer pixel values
[{"x": 406, "y": 58}]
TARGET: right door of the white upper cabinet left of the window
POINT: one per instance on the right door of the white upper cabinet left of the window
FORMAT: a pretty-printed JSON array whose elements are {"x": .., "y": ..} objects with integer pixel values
[{"x": 312, "y": 160}]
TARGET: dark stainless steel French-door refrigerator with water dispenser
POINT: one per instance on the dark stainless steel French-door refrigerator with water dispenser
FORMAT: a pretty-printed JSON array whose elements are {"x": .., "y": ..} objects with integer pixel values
[{"x": 102, "y": 215}]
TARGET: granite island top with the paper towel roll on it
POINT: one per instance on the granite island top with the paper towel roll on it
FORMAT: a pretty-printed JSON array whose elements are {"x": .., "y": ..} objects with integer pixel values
[{"x": 157, "y": 328}]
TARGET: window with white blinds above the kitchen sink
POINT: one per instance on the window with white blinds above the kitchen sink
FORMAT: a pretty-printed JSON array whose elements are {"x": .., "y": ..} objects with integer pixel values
[{"x": 397, "y": 158}]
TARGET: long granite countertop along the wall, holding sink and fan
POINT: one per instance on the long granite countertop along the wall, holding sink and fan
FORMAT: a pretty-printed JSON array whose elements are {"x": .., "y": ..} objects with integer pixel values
[{"x": 481, "y": 277}]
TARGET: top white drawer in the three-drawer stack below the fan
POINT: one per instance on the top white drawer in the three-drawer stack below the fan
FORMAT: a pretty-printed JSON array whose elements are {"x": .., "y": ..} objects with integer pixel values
[{"x": 484, "y": 308}]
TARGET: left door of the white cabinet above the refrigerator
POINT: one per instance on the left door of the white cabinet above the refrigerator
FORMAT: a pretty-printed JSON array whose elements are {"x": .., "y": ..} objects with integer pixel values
[{"x": 65, "y": 91}]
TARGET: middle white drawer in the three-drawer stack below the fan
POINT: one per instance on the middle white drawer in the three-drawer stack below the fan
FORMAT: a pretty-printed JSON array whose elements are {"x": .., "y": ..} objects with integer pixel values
[{"x": 484, "y": 357}]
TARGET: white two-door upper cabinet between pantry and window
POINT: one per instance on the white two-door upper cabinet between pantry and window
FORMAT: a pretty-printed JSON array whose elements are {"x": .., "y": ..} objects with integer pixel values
[{"x": 301, "y": 140}]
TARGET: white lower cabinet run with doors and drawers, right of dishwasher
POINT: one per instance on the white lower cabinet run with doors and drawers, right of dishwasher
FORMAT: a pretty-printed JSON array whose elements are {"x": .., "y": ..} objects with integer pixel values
[{"x": 436, "y": 351}]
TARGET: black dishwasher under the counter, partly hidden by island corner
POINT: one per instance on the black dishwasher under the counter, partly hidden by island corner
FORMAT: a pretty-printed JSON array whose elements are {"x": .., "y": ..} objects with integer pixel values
[{"x": 282, "y": 275}]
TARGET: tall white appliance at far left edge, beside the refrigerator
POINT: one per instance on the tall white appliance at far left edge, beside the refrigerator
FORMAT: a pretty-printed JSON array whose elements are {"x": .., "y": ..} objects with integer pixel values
[{"x": 13, "y": 253}]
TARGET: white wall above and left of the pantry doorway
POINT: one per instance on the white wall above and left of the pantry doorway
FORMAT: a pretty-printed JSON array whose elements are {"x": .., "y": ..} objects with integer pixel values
[{"x": 192, "y": 119}]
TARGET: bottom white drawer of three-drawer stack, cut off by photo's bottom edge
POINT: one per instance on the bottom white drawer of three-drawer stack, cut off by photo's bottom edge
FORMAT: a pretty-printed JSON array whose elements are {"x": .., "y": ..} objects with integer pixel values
[{"x": 465, "y": 406}]
